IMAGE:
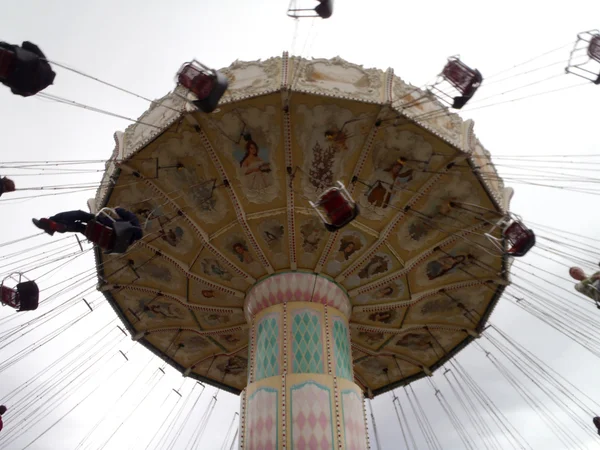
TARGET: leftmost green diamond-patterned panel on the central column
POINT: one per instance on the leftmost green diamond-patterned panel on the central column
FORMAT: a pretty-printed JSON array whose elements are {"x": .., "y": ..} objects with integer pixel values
[{"x": 267, "y": 347}]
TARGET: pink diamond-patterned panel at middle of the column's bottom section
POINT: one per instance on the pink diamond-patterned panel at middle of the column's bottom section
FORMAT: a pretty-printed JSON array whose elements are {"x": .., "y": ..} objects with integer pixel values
[{"x": 312, "y": 426}]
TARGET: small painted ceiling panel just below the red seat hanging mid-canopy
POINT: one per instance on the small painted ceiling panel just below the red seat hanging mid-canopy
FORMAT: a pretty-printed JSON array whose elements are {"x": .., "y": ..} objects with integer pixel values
[{"x": 350, "y": 244}]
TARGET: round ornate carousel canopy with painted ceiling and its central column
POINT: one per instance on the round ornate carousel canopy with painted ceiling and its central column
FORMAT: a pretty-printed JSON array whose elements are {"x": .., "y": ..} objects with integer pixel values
[{"x": 259, "y": 265}]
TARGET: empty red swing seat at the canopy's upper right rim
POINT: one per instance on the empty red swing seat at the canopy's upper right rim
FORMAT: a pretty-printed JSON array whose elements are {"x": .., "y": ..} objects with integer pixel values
[{"x": 465, "y": 81}]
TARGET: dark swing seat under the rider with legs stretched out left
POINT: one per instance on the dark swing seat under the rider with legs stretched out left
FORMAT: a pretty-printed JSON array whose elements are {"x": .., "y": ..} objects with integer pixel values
[{"x": 114, "y": 239}]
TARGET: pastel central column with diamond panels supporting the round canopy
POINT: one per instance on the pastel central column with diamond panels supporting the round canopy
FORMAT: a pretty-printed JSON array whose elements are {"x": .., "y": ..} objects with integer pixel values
[{"x": 300, "y": 394}]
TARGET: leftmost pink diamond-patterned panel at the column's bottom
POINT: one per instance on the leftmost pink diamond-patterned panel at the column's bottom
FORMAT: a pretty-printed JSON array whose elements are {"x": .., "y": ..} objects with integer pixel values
[{"x": 262, "y": 421}]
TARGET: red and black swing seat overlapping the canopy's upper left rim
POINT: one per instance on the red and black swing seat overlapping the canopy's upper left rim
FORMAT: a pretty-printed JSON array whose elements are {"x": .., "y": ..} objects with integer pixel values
[{"x": 206, "y": 84}]
